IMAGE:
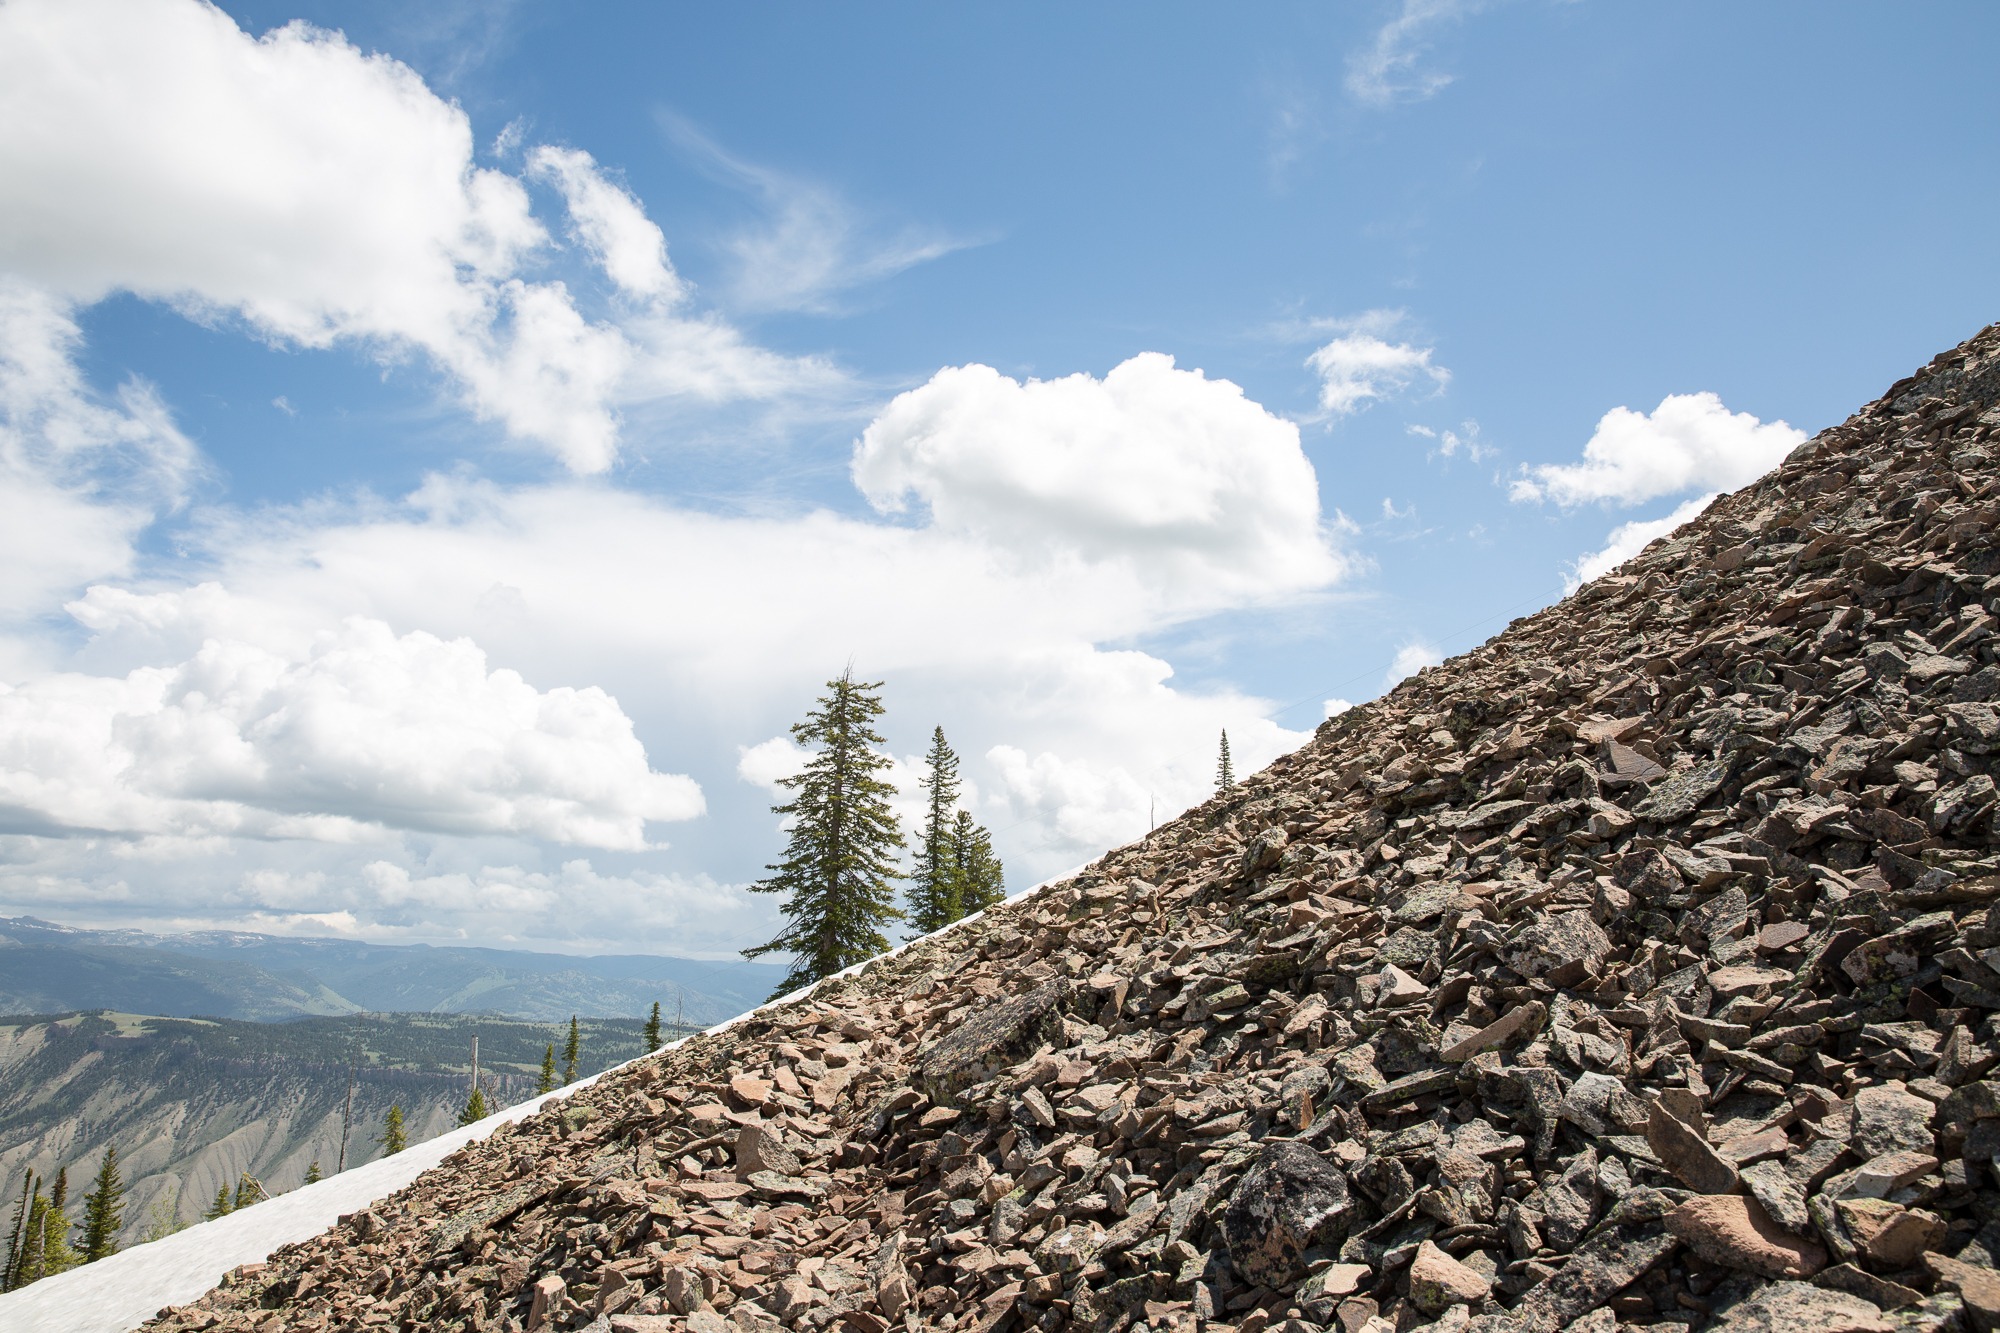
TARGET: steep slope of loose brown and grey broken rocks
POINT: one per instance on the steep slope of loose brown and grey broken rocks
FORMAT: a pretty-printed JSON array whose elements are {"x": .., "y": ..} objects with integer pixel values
[{"x": 1637, "y": 970}]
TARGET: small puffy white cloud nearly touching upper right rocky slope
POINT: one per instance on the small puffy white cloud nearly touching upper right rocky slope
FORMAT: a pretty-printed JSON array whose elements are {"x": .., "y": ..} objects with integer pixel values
[{"x": 1687, "y": 443}]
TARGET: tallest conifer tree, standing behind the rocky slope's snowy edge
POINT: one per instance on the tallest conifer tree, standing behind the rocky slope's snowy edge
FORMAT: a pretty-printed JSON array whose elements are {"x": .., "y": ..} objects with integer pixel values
[{"x": 839, "y": 866}]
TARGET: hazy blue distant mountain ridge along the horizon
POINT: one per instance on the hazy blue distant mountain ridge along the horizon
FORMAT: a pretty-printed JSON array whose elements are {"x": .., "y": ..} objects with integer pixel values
[{"x": 49, "y": 968}]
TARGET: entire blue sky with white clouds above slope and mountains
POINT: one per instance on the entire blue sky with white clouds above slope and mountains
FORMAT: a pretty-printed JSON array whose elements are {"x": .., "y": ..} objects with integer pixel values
[{"x": 445, "y": 453}]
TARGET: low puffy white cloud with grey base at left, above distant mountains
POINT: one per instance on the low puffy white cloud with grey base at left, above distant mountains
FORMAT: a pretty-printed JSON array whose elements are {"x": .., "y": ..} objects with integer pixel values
[{"x": 367, "y": 732}]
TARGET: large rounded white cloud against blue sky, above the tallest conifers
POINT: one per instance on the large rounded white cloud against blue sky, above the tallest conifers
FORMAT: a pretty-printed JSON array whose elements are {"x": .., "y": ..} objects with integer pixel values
[{"x": 1177, "y": 477}]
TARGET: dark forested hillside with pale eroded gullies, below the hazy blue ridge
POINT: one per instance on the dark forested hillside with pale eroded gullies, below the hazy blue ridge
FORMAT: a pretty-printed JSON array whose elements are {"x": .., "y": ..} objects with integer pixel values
[{"x": 195, "y": 1104}]
